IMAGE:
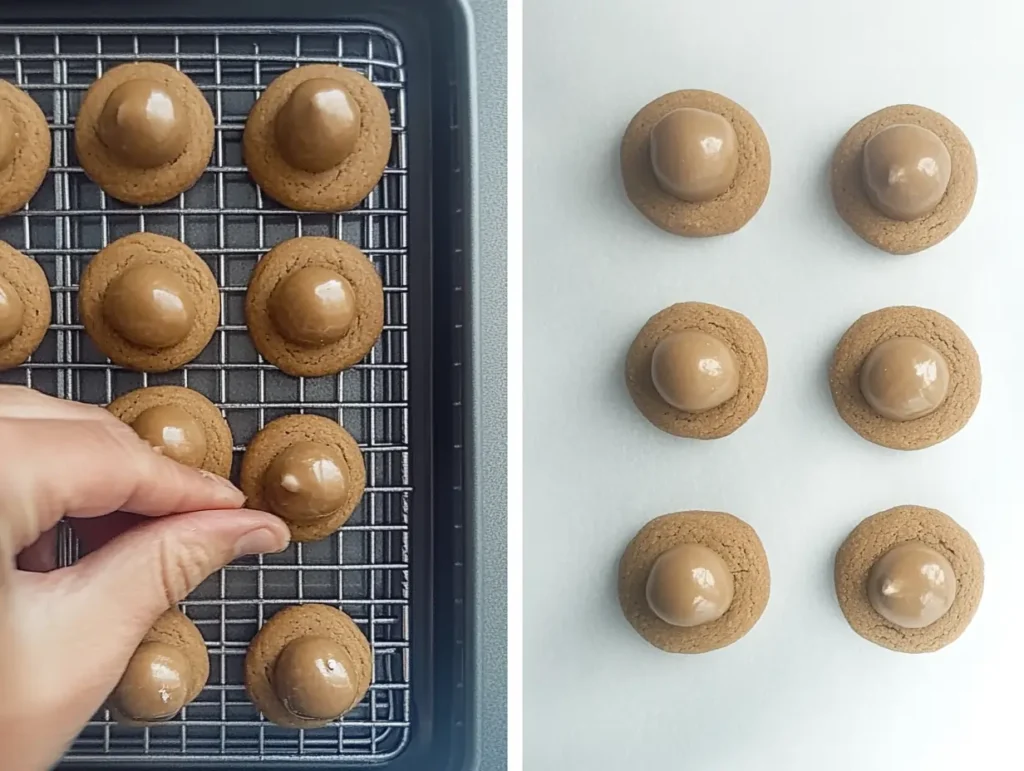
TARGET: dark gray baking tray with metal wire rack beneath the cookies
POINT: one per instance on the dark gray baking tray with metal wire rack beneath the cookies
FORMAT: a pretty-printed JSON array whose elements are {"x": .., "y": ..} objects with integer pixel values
[{"x": 399, "y": 568}]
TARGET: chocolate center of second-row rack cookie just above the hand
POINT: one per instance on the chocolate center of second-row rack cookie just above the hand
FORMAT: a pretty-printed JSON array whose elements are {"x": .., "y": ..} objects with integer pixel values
[{"x": 150, "y": 306}]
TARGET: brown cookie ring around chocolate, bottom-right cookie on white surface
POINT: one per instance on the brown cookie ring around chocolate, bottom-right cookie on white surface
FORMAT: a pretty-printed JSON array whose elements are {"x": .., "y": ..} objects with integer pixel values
[{"x": 877, "y": 536}]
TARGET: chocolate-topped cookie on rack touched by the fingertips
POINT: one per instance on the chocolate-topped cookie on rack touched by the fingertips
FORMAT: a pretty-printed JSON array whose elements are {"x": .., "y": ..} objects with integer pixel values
[{"x": 320, "y": 503}]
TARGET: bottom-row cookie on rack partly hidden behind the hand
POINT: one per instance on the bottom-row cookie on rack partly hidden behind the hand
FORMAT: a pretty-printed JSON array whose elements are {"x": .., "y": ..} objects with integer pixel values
[{"x": 167, "y": 672}]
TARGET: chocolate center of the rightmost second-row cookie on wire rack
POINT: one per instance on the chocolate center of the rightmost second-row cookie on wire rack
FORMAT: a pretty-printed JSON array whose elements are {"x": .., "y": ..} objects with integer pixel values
[{"x": 313, "y": 307}]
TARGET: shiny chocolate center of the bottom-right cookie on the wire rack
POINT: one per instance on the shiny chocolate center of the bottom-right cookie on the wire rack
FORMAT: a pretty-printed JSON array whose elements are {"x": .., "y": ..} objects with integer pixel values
[{"x": 312, "y": 679}]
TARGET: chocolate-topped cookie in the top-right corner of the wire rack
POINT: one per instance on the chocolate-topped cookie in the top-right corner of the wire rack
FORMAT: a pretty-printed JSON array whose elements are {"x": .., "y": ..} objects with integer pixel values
[{"x": 316, "y": 161}]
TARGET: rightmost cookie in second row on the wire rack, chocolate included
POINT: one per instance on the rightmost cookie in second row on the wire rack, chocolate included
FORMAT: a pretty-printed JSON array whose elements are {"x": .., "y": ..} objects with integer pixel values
[{"x": 308, "y": 333}]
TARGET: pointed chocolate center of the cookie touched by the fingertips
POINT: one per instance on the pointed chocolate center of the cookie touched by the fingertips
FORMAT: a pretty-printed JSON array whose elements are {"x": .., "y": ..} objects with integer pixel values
[{"x": 306, "y": 482}]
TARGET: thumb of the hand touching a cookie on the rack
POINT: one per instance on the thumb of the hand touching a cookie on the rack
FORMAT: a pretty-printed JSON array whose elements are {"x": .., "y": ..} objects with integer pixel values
[{"x": 151, "y": 568}]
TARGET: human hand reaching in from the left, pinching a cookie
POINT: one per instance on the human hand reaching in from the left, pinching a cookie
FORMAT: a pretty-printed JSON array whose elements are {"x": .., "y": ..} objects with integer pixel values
[{"x": 67, "y": 635}]
